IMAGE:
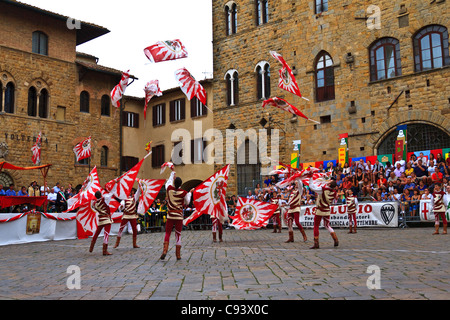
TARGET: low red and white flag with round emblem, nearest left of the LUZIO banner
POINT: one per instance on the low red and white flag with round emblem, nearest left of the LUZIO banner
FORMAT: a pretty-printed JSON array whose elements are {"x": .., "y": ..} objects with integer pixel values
[{"x": 252, "y": 214}]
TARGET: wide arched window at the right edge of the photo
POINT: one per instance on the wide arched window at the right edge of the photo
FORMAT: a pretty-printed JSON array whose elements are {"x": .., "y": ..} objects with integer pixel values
[{"x": 431, "y": 49}]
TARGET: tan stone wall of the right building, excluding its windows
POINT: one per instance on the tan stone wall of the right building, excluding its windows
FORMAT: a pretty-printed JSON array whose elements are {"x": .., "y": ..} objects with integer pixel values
[{"x": 361, "y": 108}]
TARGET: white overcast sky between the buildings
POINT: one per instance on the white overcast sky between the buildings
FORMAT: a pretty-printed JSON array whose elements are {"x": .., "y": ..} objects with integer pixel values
[{"x": 137, "y": 24}]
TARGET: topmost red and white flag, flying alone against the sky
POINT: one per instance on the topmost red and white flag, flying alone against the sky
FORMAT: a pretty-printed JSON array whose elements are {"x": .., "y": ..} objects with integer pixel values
[{"x": 166, "y": 51}]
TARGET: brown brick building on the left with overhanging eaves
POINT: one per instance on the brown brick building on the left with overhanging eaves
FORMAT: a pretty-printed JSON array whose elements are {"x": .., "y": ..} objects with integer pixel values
[{"x": 47, "y": 86}]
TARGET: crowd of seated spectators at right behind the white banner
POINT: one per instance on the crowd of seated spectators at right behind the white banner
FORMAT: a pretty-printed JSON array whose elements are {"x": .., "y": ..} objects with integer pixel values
[{"x": 405, "y": 181}]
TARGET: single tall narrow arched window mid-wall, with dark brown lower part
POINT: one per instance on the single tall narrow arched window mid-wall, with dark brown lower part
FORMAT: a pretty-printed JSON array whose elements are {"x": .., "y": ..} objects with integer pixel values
[{"x": 324, "y": 77}]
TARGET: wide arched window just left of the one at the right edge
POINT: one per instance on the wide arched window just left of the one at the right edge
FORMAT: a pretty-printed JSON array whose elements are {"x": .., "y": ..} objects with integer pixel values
[{"x": 385, "y": 60}]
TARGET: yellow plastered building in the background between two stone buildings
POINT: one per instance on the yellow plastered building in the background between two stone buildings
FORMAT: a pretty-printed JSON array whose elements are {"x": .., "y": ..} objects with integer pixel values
[{"x": 165, "y": 127}]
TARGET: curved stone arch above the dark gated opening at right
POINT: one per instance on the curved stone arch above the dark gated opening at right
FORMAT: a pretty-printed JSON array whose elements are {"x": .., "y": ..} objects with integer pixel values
[{"x": 408, "y": 117}]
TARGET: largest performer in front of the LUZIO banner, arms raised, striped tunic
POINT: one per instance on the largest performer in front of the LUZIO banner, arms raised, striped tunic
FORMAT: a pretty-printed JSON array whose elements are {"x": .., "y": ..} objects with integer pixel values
[{"x": 325, "y": 197}]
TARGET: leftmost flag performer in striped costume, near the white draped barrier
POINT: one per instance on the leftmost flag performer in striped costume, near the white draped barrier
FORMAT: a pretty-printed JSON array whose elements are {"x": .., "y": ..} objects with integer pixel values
[{"x": 104, "y": 222}]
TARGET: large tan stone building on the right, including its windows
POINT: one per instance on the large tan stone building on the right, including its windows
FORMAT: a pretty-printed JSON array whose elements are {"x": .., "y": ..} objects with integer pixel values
[{"x": 365, "y": 68}]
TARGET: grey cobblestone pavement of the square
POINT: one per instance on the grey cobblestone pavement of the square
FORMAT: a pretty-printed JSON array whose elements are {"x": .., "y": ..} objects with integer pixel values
[{"x": 248, "y": 265}]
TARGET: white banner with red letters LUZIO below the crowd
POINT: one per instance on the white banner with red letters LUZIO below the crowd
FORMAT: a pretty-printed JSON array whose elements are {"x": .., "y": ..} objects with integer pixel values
[{"x": 369, "y": 214}]
